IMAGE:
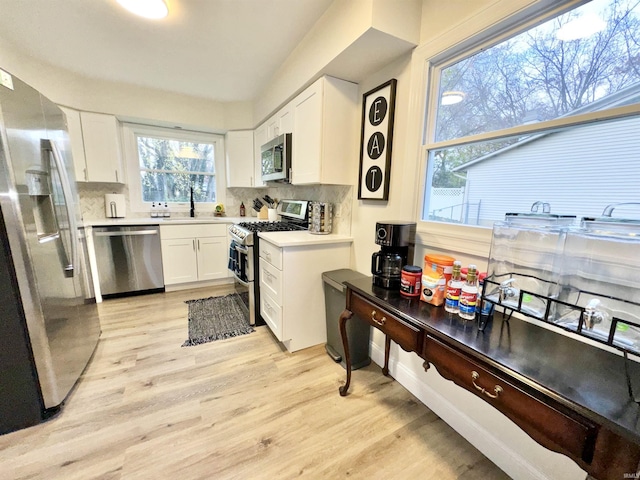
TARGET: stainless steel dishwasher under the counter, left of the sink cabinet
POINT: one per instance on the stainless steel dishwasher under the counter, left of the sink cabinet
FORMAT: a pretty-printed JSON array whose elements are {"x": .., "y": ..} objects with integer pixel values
[{"x": 129, "y": 260}]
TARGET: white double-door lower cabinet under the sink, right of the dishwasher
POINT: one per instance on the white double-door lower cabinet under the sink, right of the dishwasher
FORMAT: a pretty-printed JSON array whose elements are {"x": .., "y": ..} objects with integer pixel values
[{"x": 194, "y": 253}]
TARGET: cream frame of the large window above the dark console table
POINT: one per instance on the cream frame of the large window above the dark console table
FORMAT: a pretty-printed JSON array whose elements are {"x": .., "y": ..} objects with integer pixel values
[{"x": 489, "y": 28}]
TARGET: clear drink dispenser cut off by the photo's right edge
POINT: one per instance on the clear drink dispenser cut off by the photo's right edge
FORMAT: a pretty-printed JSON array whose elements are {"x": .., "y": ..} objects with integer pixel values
[{"x": 601, "y": 282}]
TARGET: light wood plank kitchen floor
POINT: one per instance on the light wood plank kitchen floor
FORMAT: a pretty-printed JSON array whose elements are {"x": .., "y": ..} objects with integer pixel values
[{"x": 242, "y": 408}]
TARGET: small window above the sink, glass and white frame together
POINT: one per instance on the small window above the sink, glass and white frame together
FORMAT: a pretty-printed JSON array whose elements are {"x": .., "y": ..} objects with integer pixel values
[{"x": 165, "y": 164}]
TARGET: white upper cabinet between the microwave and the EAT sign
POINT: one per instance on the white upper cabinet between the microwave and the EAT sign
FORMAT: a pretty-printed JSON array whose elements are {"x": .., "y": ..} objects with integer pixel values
[{"x": 325, "y": 133}]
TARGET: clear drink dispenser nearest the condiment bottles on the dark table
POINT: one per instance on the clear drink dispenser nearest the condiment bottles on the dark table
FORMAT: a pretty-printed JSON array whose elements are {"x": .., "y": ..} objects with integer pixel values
[{"x": 523, "y": 269}]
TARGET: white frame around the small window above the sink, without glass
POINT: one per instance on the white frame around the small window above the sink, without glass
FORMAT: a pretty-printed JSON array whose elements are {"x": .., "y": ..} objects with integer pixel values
[{"x": 130, "y": 131}]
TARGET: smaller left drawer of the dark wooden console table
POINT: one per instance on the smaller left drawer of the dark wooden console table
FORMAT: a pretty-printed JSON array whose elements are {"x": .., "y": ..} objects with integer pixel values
[{"x": 404, "y": 334}]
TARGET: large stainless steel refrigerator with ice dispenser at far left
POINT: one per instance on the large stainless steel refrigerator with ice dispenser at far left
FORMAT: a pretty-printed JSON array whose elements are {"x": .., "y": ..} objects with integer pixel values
[{"x": 49, "y": 324}]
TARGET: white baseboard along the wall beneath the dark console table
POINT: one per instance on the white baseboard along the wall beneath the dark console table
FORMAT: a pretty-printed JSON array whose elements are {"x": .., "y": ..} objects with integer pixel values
[{"x": 510, "y": 461}]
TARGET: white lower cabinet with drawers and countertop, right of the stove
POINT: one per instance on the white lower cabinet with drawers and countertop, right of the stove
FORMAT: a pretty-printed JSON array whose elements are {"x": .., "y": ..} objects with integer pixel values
[{"x": 291, "y": 290}]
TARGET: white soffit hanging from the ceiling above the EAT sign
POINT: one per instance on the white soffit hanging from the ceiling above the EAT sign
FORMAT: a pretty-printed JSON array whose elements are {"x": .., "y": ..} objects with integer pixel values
[{"x": 351, "y": 37}]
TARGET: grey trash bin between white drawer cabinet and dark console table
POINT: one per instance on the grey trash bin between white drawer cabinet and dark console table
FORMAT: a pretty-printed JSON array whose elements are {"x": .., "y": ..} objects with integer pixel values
[{"x": 358, "y": 331}]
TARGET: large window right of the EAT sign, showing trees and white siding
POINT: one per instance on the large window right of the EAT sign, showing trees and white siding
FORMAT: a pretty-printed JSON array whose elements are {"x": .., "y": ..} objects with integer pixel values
[{"x": 546, "y": 113}]
